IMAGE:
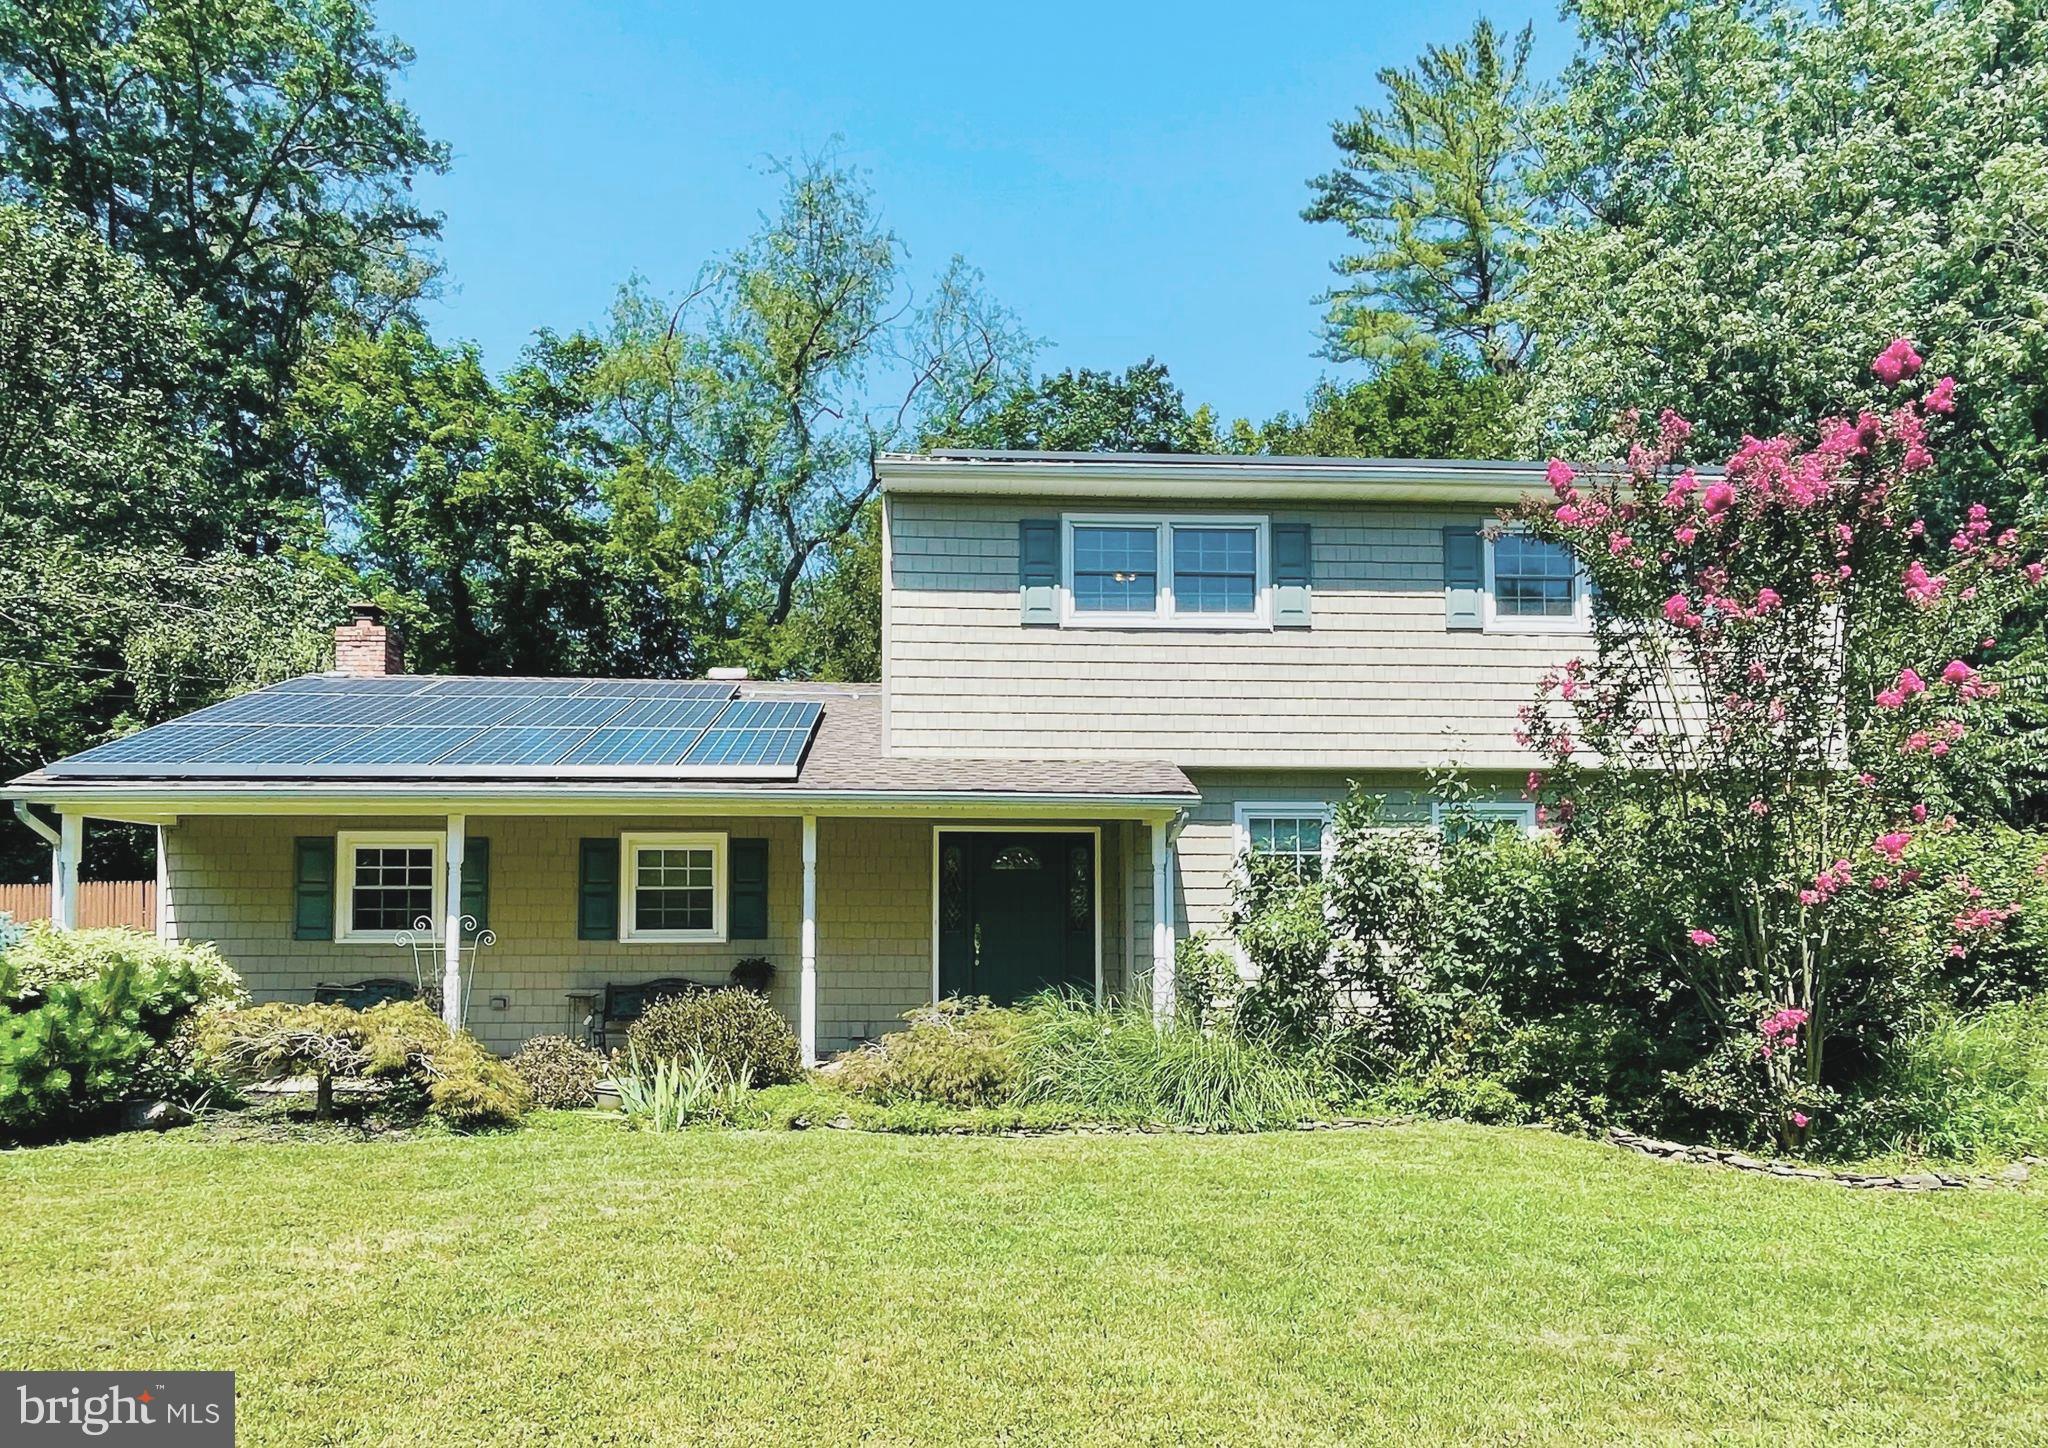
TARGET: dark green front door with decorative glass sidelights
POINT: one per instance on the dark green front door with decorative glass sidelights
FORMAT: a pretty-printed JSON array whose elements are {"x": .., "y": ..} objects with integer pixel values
[{"x": 1017, "y": 914}]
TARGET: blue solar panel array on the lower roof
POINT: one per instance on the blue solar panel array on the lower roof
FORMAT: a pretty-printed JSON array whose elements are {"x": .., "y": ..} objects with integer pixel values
[{"x": 331, "y": 726}]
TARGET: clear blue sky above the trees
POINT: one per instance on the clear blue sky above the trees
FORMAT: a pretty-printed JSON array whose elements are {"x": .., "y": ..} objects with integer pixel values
[{"x": 1127, "y": 177}]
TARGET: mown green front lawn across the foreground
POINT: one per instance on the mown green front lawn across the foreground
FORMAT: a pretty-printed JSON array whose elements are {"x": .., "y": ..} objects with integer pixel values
[{"x": 577, "y": 1283}]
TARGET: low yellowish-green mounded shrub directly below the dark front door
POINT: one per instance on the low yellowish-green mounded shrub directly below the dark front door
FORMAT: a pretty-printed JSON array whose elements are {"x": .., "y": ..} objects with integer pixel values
[{"x": 955, "y": 1054}]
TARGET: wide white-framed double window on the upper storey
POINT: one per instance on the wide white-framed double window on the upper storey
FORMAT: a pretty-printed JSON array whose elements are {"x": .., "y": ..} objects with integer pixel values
[{"x": 1191, "y": 572}]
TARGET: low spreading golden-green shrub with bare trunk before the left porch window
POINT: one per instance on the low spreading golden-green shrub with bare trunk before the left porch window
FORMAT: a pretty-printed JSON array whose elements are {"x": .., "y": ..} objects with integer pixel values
[{"x": 402, "y": 1044}]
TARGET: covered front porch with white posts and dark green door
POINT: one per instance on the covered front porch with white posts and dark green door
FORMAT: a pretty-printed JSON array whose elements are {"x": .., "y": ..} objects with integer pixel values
[{"x": 863, "y": 917}]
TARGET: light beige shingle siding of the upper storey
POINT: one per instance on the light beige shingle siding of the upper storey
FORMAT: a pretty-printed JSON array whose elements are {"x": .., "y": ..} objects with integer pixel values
[{"x": 1375, "y": 683}]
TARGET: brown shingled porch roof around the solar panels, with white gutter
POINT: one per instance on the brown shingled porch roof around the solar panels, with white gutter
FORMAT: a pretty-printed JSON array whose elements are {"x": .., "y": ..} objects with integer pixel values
[{"x": 847, "y": 765}]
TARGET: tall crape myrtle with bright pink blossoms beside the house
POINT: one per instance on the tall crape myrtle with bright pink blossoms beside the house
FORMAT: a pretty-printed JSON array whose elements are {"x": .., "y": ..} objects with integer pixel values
[{"x": 1779, "y": 724}]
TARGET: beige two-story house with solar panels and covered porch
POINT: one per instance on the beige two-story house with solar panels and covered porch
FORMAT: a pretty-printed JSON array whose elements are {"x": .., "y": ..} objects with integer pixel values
[{"x": 1105, "y": 679}]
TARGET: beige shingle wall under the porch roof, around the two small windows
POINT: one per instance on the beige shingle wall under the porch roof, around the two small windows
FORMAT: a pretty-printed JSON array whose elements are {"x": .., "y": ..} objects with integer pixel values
[{"x": 230, "y": 884}]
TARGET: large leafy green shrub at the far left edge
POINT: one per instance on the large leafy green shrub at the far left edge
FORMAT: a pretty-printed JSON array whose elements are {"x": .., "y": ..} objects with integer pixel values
[{"x": 97, "y": 1017}]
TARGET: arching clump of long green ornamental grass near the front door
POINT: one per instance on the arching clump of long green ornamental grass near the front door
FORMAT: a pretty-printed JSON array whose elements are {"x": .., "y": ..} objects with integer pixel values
[{"x": 1119, "y": 1064}]
